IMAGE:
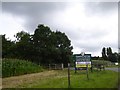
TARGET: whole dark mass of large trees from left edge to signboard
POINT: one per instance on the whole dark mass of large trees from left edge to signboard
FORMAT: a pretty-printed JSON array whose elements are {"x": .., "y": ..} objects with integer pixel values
[{"x": 43, "y": 47}]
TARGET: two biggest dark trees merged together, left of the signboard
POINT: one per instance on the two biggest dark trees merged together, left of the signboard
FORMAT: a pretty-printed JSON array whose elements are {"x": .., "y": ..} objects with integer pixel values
[{"x": 51, "y": 47}]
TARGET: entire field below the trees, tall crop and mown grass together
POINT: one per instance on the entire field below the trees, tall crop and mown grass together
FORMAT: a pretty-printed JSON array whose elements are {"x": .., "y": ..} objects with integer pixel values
[{"x": 16, "y": 74}]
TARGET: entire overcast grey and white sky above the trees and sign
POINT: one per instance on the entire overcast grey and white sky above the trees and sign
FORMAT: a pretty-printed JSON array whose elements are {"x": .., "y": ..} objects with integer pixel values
[{"x": 89, "y": 25}]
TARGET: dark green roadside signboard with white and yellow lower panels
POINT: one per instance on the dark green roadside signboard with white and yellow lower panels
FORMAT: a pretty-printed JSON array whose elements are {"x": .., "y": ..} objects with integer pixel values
[{"x": 82, "y": 61}]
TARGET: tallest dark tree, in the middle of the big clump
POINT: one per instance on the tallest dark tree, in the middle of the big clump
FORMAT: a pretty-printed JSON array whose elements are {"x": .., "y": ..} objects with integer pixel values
[{"x": 41, "y": 43}]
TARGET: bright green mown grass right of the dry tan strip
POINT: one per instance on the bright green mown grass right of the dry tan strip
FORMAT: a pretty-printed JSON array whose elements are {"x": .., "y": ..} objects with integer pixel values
[{"x": 97, "y": 79}]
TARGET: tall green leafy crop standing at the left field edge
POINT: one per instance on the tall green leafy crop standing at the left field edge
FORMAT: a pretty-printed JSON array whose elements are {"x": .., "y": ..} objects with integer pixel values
[{"x": 13, "y": 67}]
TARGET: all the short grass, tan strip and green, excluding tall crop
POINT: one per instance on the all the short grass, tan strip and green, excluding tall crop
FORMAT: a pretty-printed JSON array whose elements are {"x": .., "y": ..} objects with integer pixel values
[{"x": 59, "y": 79}]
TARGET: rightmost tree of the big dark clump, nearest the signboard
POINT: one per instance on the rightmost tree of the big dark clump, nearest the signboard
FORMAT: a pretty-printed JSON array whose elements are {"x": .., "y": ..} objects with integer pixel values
[{"x": 64, "y": 45}]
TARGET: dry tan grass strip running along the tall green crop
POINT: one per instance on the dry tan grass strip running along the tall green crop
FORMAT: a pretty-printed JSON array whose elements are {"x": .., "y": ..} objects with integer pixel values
[{"x": 16, "y": 81}]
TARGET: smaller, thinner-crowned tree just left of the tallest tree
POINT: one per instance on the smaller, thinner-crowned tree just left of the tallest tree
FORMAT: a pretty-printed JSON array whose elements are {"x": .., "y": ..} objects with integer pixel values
[{"x": 23, "y": 45}]
